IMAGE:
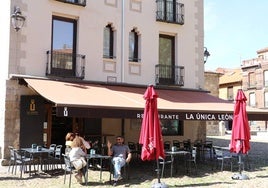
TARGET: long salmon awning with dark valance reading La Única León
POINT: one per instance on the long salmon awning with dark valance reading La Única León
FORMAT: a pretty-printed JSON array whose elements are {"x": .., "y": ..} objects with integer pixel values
[{"x": 96, "y": 100}]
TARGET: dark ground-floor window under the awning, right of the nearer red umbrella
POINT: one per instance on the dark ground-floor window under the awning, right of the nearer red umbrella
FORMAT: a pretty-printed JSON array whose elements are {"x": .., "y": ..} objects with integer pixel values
[{"x": 171, "y": 127}]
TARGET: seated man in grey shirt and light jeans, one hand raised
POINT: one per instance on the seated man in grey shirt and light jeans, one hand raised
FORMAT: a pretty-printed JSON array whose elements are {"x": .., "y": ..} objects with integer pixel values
[{"x": 121, "y": 155}]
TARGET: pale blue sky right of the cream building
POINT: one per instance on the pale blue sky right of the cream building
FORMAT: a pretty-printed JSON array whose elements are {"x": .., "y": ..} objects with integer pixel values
[{"x": 234, "y": 30}]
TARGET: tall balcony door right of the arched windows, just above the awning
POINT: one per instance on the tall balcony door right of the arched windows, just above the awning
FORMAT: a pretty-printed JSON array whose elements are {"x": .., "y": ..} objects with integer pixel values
[{"x": 166, "y": 59}]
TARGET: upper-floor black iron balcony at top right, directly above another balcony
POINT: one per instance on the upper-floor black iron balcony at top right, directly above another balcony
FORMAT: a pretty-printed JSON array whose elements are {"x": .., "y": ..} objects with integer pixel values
[{"x": 170, "y": 12}]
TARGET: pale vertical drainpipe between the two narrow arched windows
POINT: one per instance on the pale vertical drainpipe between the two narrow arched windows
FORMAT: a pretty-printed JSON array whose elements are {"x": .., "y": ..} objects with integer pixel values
[{"x": 123, "y": 42}]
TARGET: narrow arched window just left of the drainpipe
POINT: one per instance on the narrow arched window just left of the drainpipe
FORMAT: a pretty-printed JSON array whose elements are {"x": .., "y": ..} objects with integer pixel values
[{"x": 108, "y": 42}]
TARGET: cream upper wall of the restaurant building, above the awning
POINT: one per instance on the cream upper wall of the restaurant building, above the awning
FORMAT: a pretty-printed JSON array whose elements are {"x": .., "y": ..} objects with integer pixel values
[{"x": 35, "y": 39}]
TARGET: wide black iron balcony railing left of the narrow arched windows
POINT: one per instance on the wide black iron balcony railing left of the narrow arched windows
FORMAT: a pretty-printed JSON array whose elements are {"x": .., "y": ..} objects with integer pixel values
[{"x": 66, "y": 65}]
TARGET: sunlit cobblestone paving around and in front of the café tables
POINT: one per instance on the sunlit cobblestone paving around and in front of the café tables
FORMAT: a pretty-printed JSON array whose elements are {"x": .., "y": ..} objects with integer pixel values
[{"x": 142, "y": 174}]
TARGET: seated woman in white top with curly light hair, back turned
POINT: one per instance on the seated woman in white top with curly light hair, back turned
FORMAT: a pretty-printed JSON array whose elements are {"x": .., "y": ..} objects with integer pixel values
[{"x": 77, "y": 158}]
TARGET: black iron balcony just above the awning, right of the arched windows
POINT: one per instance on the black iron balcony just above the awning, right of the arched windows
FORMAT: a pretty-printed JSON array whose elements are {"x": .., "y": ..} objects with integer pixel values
[{"x": 169, "y": 75}]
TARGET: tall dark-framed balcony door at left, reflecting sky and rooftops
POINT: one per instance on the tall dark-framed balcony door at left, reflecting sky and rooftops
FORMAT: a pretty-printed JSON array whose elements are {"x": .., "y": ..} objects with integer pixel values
[{"x": 63, "y": 53}]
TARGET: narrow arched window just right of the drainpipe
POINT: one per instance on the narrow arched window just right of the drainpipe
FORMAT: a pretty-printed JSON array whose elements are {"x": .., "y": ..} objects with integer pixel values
[{"x": 133, "y": 46}]
